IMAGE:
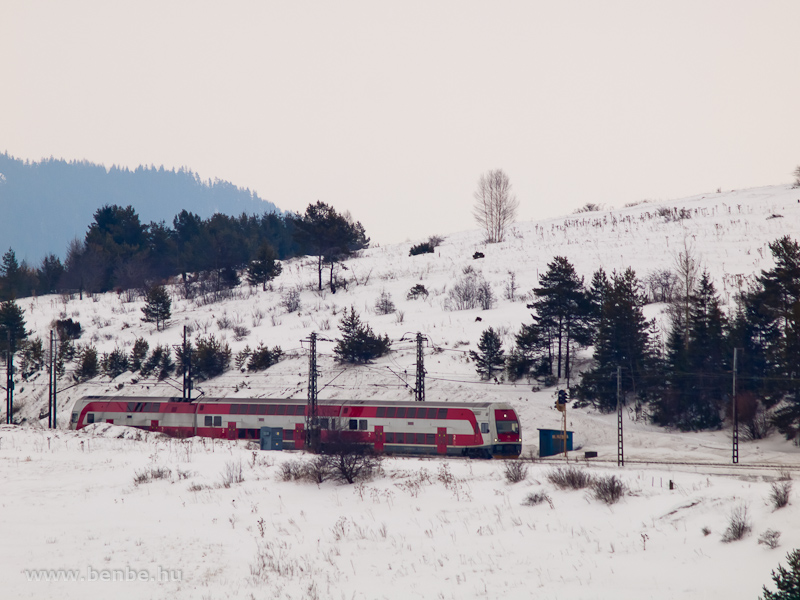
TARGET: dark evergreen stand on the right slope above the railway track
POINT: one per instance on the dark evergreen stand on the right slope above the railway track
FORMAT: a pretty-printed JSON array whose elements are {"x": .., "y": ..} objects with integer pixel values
[{"x": 684, "y": 381}]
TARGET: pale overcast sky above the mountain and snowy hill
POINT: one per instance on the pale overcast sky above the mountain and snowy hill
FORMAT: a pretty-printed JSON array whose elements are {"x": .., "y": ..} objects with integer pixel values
[{"x": 392, "y": 110}]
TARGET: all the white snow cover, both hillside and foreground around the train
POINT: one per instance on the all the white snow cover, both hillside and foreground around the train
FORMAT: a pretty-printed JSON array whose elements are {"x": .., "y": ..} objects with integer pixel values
[{"x": 423, "y": 528}]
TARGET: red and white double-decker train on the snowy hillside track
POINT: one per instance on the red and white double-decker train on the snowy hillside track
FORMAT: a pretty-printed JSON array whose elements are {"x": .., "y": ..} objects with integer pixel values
[{"x": 454, "y": 428}]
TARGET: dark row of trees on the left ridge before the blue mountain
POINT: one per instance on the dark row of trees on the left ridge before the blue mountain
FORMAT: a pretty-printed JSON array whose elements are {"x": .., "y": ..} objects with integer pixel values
[{"x": 119, "y": 252}]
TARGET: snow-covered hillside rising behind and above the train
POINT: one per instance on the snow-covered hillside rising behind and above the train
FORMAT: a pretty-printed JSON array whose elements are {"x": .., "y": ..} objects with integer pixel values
[{"x": 729, "y": 232}]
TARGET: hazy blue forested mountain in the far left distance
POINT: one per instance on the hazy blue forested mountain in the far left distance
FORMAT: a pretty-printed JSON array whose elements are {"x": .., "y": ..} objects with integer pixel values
[{"x": 44, "y": 205}]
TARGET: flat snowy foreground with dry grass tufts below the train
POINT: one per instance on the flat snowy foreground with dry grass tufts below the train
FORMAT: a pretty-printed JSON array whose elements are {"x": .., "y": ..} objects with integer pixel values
[{"x": 432, "y": 528}]
